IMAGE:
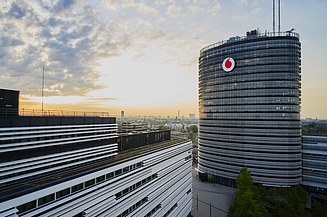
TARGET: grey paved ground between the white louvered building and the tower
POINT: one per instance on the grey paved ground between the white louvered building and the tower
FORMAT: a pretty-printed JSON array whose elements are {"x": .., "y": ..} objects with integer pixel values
[{"x": 204, "y": 194}]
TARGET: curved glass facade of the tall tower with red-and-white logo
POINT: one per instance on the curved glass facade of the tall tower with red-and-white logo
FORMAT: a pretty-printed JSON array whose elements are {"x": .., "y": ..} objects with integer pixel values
[{"x": 250, "y": 116}]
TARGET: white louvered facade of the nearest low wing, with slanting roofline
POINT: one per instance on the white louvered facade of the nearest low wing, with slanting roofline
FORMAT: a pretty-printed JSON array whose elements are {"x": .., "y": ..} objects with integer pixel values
[{"x": 154, "y": 184}]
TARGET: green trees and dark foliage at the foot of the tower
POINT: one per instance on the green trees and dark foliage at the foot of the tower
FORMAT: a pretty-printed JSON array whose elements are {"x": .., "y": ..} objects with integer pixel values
[{"x": 258, "y": 201}]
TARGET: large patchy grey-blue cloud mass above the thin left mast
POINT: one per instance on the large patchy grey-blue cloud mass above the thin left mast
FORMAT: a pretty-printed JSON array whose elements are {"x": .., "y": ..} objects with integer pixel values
[{"x": 69, "y": 44}]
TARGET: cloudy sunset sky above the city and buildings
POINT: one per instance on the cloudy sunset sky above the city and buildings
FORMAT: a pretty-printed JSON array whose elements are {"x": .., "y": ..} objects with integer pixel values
[{"x": 141, "y": 56}]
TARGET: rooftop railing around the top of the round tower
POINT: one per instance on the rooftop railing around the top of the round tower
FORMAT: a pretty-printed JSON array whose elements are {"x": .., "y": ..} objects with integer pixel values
[{"x": 251, "y": 36}]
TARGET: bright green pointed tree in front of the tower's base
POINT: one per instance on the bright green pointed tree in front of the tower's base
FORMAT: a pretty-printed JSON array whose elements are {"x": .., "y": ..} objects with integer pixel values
[{"x": 247, "y": 203}]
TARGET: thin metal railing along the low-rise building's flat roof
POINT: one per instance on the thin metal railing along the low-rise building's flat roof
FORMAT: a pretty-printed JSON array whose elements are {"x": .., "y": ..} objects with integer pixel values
[{"x": 38, "y": 112}]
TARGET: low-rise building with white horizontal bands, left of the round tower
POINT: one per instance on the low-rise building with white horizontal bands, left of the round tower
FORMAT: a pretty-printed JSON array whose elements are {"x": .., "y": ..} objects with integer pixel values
[{"x": 71, "y": 166}]
